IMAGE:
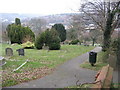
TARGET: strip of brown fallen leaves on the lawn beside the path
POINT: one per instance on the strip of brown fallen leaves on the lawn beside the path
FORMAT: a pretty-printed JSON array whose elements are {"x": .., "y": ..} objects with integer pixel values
[{"x": 26, "y": 76}]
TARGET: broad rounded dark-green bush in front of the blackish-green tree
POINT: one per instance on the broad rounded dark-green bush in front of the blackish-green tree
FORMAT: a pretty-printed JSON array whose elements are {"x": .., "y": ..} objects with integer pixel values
[{"x": 48, "y": 38}]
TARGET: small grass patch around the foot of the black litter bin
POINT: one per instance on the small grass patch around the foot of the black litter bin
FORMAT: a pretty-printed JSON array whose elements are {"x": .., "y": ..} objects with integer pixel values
[{"x": 99, "y": 63}]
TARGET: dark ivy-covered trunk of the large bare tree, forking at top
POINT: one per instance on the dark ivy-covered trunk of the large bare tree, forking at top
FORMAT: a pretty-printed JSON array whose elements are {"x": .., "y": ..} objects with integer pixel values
[{"x": 109, "y": 28}]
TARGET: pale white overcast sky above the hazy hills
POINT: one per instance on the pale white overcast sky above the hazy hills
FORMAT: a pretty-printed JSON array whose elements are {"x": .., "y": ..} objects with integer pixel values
[{"x": 39, "y": 6}]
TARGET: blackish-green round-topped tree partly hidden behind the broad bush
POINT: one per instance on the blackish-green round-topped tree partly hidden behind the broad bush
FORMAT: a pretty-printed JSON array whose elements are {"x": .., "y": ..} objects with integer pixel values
[{"x": 61, "y": 31}]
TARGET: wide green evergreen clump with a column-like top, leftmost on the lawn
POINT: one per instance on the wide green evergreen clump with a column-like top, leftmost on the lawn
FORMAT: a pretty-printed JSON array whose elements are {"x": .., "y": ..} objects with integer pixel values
[{"x": 18, "y": 33}]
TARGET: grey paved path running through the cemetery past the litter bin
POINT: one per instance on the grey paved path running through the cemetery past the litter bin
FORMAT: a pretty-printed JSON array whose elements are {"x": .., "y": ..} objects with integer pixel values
[{"x": 65, "y": 75}]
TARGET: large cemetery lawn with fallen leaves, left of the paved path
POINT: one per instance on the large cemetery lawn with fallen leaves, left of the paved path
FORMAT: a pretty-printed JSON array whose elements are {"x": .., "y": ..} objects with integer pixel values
[{"x": 40, "y": 62}]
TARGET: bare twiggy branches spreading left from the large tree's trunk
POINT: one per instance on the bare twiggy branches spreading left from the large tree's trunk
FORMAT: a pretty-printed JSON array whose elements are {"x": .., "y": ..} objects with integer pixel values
[{"x": 95, "y": 12}]
